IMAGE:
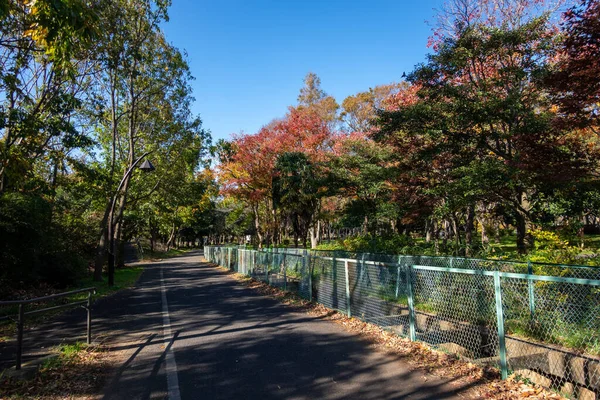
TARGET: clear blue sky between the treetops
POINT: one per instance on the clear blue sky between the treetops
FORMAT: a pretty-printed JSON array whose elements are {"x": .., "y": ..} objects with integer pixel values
[{"x": 249, "y": 57}]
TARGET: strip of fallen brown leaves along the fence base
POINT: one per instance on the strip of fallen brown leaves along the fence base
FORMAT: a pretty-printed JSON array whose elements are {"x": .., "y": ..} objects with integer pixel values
[{"x": 484, "y": 382}]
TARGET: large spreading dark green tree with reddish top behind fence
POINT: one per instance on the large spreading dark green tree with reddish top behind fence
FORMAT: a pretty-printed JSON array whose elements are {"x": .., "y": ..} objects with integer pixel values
[{"x": 487, "y": 116}]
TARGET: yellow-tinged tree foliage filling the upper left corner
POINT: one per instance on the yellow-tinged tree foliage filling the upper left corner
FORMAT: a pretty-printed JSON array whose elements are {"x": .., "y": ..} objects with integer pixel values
[{"x": 43, "y": 78}]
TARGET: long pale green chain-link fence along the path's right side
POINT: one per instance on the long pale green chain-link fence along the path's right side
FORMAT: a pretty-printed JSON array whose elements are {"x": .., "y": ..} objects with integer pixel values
[{"x": 539, "y": 321}]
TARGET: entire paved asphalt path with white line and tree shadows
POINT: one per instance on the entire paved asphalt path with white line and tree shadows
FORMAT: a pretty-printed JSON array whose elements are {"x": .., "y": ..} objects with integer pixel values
[{"x": 189, "y": 331}]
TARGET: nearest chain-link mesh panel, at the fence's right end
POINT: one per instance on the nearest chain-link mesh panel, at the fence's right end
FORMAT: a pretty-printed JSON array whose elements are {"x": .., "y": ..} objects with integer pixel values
[{"x": 553, "y": 334}]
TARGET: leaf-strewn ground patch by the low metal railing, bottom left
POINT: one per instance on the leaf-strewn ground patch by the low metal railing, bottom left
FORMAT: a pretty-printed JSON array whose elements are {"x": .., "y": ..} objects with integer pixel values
[{"x": 77, "y": 372}]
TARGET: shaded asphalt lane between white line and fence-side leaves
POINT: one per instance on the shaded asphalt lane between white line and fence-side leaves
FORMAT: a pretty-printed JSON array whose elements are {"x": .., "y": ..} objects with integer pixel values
[{"x": 232, "y": 343}]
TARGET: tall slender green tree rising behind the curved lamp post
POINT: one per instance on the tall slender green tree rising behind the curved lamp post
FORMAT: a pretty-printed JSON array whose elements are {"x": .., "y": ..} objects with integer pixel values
[{"x": 143, "y": 98}]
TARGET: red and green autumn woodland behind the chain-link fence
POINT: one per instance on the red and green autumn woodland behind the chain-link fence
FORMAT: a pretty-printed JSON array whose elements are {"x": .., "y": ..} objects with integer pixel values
[{"x": 491, "y": 143}]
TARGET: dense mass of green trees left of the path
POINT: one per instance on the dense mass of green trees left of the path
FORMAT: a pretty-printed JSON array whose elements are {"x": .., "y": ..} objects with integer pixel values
[{"x": 90, "y": 91}]
